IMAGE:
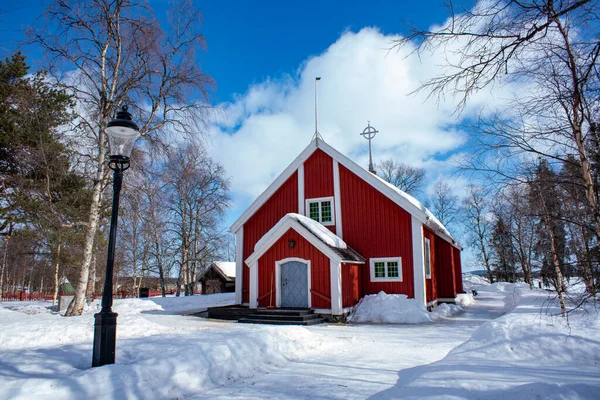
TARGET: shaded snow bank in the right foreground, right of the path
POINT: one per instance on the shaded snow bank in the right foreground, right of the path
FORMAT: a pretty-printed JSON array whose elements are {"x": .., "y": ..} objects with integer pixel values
[{"x": 524, "y": 354}]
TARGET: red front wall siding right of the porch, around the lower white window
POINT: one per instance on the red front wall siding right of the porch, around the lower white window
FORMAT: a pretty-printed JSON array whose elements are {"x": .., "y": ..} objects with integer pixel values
[{"x": 376, "y": 227}]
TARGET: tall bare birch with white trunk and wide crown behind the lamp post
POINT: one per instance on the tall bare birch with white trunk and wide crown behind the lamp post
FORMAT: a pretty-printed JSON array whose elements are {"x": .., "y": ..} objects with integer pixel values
[{"x": 109, "y": 52}]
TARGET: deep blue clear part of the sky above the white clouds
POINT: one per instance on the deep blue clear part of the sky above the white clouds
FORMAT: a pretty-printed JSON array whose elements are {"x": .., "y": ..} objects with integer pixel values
[{"x": 250, "y": 41}]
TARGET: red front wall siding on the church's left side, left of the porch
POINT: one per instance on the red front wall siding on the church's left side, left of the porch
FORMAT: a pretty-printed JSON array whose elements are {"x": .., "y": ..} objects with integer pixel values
[{"x": 283, "y": 201}]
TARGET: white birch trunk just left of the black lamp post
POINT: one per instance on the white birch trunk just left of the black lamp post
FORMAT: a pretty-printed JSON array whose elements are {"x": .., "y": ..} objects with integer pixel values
[{"x": 76, "y": 306}]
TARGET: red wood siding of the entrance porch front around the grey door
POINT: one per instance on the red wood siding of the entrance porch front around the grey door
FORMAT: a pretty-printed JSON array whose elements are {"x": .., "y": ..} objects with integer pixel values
[{"x": 320, "y": 278}]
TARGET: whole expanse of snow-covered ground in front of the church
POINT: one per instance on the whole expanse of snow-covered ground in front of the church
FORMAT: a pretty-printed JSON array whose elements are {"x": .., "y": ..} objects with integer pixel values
[{"x": 504, "y": 345}]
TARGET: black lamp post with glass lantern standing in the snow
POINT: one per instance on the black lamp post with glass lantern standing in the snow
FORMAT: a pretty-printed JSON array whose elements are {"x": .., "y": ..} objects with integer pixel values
[{"x": 122, "y": 133}]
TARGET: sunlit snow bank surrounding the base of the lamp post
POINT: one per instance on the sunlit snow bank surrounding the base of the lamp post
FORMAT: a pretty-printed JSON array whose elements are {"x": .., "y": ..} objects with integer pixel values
[{"x": 44, "y": 355}]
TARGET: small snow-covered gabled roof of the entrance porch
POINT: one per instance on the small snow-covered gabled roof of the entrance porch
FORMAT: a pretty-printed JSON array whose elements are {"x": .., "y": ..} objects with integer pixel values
[{"x": 315, "y": 233}]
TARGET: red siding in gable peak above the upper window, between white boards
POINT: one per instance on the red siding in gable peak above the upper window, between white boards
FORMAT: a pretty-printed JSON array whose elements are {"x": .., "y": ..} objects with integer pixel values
[{"x": 318, "y": 177}]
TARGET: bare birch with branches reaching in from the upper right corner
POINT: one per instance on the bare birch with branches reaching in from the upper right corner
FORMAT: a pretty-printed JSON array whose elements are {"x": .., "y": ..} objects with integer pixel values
[{"x": 547, "y": 47}]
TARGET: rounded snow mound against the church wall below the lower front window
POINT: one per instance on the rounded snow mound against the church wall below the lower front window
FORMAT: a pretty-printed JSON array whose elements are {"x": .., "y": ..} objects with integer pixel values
[{"x": 389, "y": 309}]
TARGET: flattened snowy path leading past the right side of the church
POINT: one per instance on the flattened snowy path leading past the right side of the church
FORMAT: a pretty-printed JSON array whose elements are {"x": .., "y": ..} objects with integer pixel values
[{"x": 368, "y": 362}]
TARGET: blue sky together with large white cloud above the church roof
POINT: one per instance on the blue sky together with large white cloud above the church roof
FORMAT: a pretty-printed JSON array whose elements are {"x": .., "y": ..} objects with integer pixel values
[{"x": 264, "y": 56}]
